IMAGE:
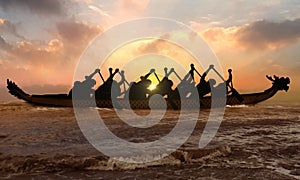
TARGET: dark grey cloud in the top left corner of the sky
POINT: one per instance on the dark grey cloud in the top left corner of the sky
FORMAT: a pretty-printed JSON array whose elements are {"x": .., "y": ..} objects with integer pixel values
[{"x": 45, "y": 7}]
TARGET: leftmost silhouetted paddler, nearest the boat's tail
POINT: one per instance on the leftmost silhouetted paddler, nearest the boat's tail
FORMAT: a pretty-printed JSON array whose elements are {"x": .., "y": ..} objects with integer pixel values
[{"x": 84, "y": 89}]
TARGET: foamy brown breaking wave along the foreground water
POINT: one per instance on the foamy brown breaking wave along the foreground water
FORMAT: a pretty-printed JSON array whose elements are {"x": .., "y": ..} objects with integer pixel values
[{"x": 16, "y": 164}]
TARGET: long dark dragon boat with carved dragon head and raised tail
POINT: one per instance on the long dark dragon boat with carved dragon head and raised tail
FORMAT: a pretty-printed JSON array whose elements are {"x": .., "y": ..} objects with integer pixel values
[{"x": 63, "y": 100}]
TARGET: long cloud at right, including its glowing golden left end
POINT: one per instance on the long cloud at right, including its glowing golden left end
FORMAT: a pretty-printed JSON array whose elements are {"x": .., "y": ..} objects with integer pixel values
[{"x": 260, "y": 35}]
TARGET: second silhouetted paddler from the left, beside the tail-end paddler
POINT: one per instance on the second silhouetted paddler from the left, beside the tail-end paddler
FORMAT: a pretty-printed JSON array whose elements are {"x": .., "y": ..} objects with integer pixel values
[{"x": 110, "y": 88}]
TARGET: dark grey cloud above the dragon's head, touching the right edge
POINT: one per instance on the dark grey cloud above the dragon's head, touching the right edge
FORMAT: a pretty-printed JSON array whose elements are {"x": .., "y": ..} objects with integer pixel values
[{"x": 265, "y": 34}]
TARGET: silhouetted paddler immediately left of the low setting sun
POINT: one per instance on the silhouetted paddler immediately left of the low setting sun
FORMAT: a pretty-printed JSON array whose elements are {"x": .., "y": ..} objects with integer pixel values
[{"x": 139, "y": 90}]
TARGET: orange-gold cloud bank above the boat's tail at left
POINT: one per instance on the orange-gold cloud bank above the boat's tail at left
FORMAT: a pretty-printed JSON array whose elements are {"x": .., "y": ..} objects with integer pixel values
[{"x": 51, "y": 62}]
